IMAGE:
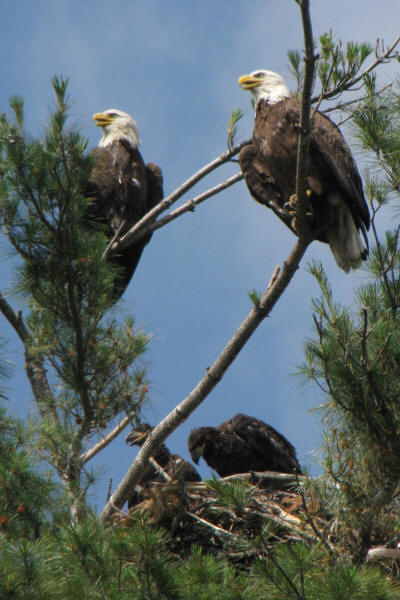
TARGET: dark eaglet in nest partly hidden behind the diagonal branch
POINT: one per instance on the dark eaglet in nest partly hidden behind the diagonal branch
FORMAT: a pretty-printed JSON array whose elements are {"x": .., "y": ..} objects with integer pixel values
[{"x": 175, "y": 466}]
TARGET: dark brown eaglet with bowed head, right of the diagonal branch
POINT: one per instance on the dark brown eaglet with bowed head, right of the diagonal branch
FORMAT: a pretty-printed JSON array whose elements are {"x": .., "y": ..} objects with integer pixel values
[{"x": 243, "y": 444}]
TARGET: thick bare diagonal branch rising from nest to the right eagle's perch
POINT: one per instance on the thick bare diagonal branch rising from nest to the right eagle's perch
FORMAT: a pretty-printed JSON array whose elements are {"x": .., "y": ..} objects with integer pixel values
[{"x": 180, "y": 413}]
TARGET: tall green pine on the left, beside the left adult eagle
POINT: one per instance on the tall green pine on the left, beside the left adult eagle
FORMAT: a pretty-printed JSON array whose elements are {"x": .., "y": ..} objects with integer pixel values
[{"x": 84, "y": 366}]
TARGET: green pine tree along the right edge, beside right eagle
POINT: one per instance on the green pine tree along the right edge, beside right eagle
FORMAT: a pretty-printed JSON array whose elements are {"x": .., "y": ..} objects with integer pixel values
[{"x": 355, "y": 355}]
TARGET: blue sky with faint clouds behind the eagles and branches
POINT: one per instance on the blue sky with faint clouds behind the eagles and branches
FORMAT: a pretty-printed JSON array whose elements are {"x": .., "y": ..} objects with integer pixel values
[{"x": 174, "y": 66}]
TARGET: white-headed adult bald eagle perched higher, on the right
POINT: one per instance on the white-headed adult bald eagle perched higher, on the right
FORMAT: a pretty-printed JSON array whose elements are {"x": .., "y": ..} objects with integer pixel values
[{"x": 337, "y": 205}]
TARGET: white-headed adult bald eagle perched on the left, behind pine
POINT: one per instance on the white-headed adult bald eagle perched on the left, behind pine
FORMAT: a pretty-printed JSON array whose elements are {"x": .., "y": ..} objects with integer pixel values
[{"x": 122, "y": 188}]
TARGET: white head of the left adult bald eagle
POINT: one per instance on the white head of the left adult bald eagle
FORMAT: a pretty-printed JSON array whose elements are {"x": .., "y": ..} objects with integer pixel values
[{"x": 117, "y": 126}]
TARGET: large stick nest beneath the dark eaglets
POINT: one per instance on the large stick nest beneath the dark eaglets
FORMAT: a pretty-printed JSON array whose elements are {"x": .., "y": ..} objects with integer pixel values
[{"x": 238, "y": 517}]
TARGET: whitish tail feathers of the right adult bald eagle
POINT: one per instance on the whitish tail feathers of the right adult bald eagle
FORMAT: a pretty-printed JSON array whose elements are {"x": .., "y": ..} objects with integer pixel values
[{"x": 343, "y": 237}]
